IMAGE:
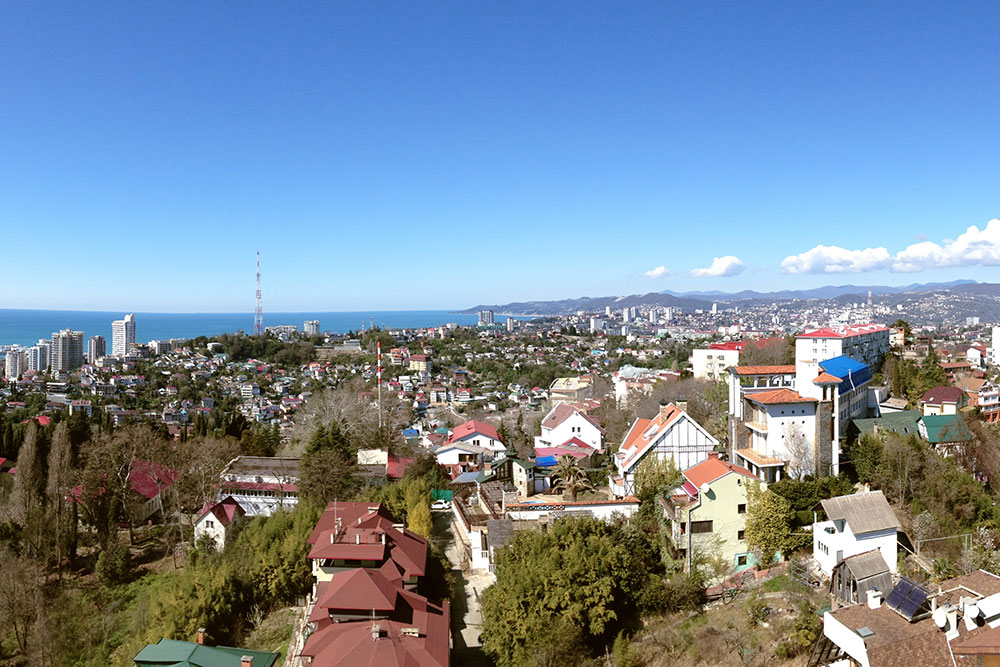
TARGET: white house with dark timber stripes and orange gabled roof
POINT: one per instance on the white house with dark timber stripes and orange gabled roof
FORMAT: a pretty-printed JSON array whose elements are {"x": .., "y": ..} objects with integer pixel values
[{"x": 670, "y": 436}]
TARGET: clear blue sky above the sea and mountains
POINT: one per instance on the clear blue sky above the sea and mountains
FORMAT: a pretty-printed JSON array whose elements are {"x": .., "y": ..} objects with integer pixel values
[{"x": 423, "y": 155}]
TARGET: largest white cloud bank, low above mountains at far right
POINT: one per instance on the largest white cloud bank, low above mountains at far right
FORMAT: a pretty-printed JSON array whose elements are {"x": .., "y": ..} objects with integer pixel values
[{"x": 974, "y": 247}]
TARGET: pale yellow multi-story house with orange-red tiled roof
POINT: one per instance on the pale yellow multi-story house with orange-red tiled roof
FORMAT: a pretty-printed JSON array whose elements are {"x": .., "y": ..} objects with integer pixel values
[{"x": 709, "y": 516}]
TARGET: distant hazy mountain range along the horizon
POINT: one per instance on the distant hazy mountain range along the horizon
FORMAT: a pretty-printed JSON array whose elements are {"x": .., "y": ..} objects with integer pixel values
[{"x": 694, "y": 300}]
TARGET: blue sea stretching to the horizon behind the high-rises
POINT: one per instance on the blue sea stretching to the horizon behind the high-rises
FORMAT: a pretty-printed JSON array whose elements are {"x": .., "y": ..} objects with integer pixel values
[{"x": 26, "y": 327}]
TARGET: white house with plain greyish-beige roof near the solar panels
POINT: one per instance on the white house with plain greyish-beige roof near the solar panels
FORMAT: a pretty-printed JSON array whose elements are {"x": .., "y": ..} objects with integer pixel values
[{"x": 855, "y": 524}]
